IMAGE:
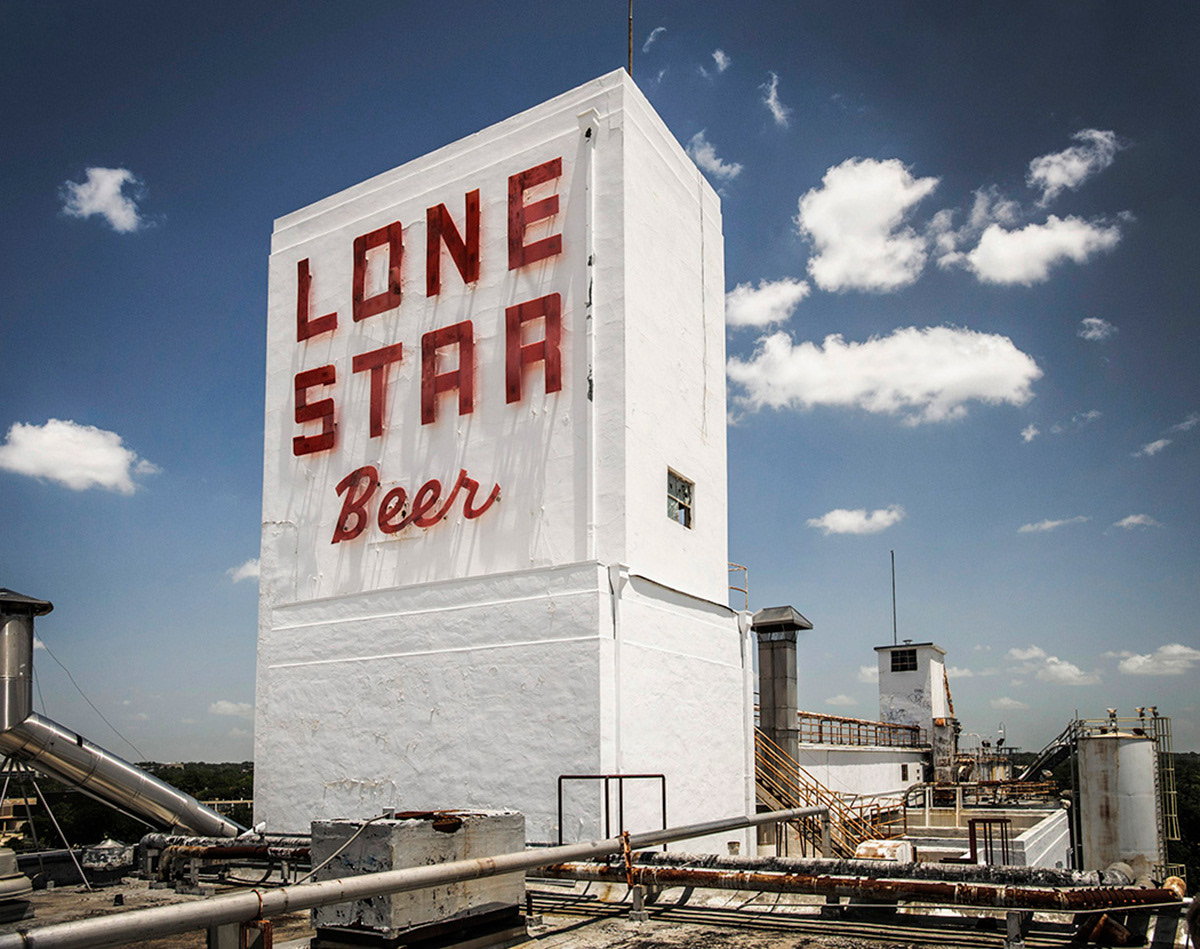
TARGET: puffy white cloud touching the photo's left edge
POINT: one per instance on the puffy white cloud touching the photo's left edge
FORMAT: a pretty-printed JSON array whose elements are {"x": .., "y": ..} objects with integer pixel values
[{"x": 79, "y": 457}]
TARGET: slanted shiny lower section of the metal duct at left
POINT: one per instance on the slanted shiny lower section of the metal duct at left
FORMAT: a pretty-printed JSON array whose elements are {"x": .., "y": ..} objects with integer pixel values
[{"x": 67, "y": 756}]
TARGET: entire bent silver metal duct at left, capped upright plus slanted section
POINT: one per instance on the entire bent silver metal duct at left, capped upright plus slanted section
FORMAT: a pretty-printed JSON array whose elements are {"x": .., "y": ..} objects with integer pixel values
[{"x": 68, "y": 756}]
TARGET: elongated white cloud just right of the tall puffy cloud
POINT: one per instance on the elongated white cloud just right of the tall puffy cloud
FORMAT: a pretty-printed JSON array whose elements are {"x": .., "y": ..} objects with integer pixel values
[{"x": 1025, "y": 256}]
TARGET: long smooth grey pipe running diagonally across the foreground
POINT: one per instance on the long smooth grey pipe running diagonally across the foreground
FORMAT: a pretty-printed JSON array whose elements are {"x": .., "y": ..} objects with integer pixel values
[{"x": 219, "y": 911}]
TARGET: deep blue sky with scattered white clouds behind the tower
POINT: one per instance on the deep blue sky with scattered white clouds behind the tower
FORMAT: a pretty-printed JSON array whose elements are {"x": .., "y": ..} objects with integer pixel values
[{"x": 962, "y": 260}]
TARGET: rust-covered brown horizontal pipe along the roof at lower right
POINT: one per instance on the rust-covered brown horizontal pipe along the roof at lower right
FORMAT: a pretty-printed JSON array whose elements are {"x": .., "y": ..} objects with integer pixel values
[{"x": 893, "y": 891}]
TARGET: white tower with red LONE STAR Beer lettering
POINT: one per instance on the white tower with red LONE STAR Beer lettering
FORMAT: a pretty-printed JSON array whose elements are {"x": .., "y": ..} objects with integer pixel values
[{"x": 495, "y": 484}]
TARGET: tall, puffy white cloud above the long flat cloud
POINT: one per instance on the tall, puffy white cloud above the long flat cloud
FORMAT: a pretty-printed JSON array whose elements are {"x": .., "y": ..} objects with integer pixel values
[{"x": 855, "y": 223}]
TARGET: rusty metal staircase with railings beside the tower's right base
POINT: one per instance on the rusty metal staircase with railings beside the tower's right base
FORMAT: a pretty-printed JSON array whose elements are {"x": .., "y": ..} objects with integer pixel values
[{"x": 782, "y": 783}]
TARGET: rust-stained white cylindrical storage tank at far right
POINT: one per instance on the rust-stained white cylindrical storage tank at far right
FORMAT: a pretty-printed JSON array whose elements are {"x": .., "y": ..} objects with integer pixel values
[{"x": 1119, "y": 813}]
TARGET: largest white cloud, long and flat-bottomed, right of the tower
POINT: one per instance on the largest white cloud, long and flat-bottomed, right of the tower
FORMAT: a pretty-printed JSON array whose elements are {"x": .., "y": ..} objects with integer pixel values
[{"x": 929, "y": 375}]
